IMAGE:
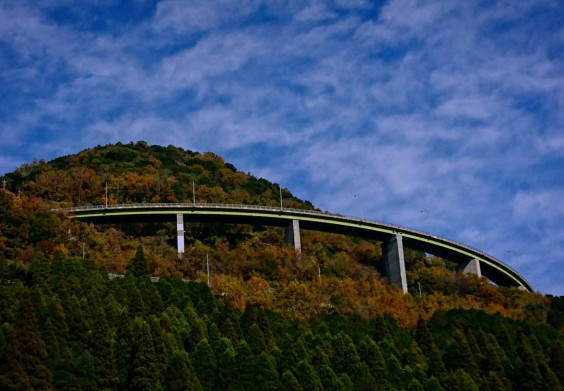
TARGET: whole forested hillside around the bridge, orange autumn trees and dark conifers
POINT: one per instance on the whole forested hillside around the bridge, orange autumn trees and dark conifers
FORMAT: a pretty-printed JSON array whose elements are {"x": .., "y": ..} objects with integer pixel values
[{"x": 270, "y": 318}]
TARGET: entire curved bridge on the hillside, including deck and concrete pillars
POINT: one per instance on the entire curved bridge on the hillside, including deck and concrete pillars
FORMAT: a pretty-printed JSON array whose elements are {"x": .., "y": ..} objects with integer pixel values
[{"x": 393, "y": 237}]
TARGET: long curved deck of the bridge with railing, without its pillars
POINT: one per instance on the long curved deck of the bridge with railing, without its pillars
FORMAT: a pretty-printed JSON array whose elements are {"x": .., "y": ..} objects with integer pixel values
[{"x": 494, "y": 269}]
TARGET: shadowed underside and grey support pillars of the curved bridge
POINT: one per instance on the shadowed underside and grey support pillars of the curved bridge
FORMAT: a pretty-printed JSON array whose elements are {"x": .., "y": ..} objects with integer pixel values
[{"x": 393, "y": 243}]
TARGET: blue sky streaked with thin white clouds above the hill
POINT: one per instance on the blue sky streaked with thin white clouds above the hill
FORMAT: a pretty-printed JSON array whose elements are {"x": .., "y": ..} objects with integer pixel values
[{"x": 455, "y": 108}]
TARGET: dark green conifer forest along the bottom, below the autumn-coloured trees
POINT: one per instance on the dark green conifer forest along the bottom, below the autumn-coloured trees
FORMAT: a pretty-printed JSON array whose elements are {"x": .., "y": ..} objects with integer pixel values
[{"x": 66, "y": 326}]
